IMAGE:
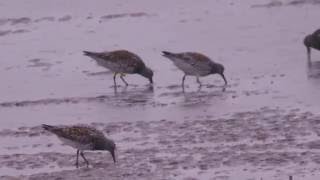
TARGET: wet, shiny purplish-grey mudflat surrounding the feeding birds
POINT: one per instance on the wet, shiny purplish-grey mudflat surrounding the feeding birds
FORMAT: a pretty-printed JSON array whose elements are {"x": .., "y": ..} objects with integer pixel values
[{"x": 264, "y": 124}]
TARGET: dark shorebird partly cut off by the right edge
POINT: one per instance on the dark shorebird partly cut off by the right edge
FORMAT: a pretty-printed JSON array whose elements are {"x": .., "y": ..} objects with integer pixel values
[{"x": 312, "y": 41}]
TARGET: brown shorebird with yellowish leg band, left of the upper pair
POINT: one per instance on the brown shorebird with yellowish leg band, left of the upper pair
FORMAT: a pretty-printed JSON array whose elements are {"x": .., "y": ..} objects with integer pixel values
[{"x": 121, "y": 62}]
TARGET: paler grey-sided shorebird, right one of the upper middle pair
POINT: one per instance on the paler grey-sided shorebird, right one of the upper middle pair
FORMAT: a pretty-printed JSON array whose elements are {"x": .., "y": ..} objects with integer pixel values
[{"x": 195, "y": 64}]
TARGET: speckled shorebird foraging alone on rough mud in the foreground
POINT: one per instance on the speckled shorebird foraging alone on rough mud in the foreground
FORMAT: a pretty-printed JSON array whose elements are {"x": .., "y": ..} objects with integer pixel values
[{"x": 83, "y": 138}]
